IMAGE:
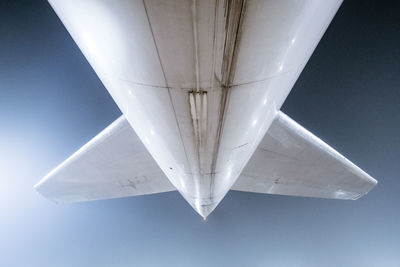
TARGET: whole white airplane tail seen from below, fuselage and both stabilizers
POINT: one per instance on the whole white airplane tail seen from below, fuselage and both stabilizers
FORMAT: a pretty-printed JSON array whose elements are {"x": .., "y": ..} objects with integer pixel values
[{"x": 200, "y": 84}]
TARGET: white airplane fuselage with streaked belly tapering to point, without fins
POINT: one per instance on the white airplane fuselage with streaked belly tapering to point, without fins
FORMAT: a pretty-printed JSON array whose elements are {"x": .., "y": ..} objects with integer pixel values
[{"x": 199, "y": 81}]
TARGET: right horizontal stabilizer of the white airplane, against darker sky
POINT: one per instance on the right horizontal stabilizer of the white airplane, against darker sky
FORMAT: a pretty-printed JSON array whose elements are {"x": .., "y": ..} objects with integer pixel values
[{"x": 292, "y": 161}]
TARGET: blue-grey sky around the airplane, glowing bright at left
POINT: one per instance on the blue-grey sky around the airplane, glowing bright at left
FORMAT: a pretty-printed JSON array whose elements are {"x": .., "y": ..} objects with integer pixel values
[{"x": 51, "y": 103}]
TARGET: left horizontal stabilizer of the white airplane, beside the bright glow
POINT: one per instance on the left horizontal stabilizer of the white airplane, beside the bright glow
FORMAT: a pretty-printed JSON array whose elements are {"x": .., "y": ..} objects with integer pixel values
[{"x": 113, "y": 164}]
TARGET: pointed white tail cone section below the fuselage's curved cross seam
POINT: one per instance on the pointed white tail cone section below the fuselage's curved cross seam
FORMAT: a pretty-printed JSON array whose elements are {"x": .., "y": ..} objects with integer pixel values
[{"x": 201, "y": 142}]
